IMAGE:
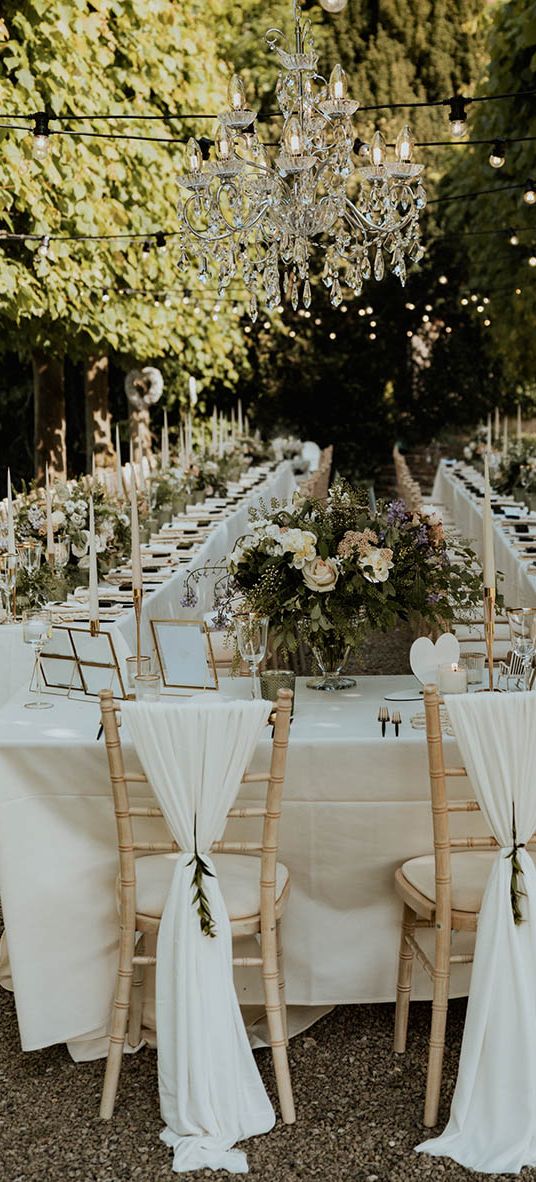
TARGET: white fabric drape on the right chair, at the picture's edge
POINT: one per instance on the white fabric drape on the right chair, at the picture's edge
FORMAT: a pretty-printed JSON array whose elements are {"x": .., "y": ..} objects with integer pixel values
[{"x": 493, "y": 1125}]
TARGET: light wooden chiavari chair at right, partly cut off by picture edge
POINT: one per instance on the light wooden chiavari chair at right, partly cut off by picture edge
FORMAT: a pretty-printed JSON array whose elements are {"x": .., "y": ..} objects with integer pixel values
[{"x": 443, "y": 892}]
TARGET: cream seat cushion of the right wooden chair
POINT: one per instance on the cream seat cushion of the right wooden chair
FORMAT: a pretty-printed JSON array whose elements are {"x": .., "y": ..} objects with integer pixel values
[{"x": 469, "y": 872}]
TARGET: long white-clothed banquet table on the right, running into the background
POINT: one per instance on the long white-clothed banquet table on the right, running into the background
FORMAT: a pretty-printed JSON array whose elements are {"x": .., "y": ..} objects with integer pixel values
[{"x": 461, "y": 489}]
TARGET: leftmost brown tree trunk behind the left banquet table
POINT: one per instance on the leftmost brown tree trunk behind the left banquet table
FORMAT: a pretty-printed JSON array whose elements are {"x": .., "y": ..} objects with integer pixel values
[{"x": 49, "y": 415}]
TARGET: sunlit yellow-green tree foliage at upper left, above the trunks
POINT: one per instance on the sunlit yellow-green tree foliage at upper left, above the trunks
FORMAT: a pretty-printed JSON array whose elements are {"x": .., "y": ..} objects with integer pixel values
[{"x": 100, "y": 57}]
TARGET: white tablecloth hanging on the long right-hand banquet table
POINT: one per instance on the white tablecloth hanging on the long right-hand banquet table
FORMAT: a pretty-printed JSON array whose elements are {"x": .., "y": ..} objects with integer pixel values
[{"x": 519, "y": 587}]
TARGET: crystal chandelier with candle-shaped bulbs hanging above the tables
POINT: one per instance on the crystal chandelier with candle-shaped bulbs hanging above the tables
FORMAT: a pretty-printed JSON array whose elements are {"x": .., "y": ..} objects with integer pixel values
[{"x": 261, "y": 213}]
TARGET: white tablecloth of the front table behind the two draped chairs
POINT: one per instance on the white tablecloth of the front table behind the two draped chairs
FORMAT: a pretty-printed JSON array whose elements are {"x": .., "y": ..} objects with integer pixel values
[{"x": 356, "y": 807}]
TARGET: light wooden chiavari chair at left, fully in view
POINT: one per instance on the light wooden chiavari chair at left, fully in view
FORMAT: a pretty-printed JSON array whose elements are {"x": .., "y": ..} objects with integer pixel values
[{"x": 254, "y": 884}]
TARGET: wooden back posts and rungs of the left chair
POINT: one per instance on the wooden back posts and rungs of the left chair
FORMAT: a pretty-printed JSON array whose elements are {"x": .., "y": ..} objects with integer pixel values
[{"x": 269, "y": 813}]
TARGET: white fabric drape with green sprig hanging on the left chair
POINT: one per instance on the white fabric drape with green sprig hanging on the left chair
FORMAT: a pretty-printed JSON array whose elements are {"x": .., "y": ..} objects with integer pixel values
[{"x": 195, "y": 756}]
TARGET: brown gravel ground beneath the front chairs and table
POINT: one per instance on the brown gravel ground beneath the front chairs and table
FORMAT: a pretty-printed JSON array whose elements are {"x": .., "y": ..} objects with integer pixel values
[{"x": 359, "y": 1109}]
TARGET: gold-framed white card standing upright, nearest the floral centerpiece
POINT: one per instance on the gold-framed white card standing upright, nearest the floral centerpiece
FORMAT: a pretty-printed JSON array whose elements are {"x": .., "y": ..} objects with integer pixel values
[{"x": 185, "y": 654}]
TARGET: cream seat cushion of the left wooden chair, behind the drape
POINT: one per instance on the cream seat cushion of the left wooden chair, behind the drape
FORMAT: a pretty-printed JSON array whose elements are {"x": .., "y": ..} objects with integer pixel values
[{"x": 240, "y": 878}]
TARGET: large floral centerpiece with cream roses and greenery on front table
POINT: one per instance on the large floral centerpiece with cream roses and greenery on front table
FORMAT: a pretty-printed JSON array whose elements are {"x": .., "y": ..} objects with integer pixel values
[{"x": 326, "y": 573}]
